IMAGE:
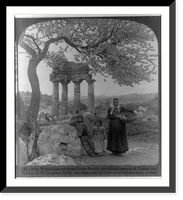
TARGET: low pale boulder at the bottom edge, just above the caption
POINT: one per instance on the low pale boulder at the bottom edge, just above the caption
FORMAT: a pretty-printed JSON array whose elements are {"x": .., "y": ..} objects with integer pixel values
[{"x": 52, "y": 159}]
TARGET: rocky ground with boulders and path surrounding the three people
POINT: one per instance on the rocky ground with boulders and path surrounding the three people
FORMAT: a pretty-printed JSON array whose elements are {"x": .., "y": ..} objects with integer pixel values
[{"x": 59, "y": 138}]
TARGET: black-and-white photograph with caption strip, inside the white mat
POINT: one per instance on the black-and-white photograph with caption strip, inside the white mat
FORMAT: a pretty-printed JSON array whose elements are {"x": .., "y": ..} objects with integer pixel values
[{"x": 88, "y": 96}]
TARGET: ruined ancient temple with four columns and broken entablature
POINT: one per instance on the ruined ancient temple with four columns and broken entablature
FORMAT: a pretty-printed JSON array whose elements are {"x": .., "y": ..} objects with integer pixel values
[{"x": 64, "y": 72}]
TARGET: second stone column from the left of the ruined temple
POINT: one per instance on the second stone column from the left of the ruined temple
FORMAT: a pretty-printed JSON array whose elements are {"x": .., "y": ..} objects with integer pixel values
[{"x": 65, "y": 96}]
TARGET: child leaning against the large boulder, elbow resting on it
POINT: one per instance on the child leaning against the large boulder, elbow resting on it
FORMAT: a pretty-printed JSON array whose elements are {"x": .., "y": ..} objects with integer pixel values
[{"x": 84, "y": 134}]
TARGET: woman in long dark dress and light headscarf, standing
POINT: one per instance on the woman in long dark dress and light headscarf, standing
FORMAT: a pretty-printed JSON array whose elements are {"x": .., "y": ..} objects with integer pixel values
[{"x": 117, "y": 137}]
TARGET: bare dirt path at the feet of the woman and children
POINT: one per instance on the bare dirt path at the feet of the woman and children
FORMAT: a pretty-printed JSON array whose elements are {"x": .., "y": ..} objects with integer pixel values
[{"x": 140, "y": 153}]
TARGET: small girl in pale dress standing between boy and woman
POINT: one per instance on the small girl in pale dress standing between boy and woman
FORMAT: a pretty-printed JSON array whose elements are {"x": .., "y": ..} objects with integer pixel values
[{"x": 99, "y": 134}]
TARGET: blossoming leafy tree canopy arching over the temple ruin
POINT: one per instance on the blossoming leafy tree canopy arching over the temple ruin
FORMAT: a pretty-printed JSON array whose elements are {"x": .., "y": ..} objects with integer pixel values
[{"x": 125, "y": 50}]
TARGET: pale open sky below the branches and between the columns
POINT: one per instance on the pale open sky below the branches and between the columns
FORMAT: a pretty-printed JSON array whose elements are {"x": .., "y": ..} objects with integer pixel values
[{"x": 101, "y": 87}]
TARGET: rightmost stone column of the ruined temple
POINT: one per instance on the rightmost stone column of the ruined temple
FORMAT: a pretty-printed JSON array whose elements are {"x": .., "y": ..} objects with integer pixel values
[{"x": 91, "y": 98}]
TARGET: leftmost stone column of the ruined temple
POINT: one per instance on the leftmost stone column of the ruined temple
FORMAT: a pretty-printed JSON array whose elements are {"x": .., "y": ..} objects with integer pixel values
[{"x": 55, "y": 99}]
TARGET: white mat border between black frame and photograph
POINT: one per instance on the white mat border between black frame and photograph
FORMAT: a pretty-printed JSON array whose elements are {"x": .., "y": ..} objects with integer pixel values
[{"x": 85, "y": 11}]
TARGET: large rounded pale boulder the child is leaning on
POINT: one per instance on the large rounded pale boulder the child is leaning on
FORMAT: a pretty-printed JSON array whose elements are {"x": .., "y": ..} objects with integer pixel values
[{"x": 60, "y": 139}]
